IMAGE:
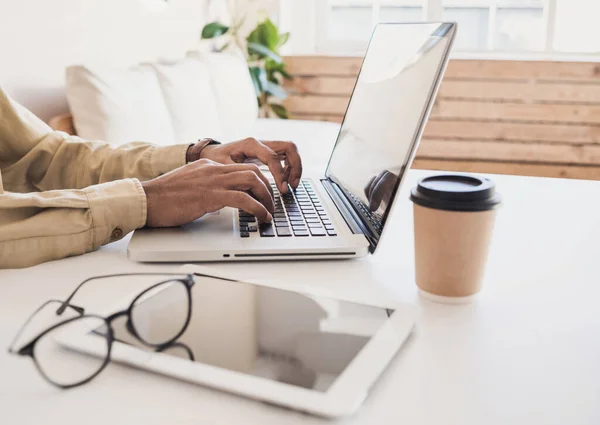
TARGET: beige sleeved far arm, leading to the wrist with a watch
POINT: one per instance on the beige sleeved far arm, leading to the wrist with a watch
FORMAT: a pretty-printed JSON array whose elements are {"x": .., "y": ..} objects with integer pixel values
[{"x": 35, "y": 158}]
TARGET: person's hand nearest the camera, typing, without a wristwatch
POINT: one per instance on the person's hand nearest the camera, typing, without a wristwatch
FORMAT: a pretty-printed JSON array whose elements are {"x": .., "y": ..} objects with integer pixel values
[{"x": 187, "y": 193}]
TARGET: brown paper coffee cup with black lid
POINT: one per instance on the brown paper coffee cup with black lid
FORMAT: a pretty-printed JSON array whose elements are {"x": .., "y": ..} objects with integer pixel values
[{"x": 454, "y": 216}]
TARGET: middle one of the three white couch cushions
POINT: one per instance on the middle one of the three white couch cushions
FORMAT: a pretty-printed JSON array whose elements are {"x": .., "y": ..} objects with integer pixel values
[{"x": 190, "y": 99}]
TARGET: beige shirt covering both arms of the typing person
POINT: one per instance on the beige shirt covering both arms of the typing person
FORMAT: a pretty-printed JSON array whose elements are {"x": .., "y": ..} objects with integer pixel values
[{"x": 61, "y": 195}]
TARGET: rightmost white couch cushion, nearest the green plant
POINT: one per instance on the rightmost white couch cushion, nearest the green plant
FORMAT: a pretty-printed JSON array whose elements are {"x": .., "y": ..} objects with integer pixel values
[{"x": 234, "y": 90}]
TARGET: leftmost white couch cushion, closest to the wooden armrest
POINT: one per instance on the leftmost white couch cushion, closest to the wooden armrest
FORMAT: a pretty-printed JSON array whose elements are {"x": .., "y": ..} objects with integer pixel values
[{"x": 118, "y": 106}]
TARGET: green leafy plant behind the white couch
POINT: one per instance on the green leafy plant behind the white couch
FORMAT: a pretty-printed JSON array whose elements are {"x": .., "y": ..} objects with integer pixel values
[{"x": 265, "y": 64}]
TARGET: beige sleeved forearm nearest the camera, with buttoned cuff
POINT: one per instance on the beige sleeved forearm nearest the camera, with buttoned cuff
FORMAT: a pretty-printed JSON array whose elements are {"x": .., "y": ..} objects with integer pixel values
[{"x": 39, "y": 227}]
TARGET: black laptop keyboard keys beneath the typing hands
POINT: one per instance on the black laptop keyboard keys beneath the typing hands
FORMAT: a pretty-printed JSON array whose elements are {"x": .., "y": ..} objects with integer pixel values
[{"x": 298, "y": 213}]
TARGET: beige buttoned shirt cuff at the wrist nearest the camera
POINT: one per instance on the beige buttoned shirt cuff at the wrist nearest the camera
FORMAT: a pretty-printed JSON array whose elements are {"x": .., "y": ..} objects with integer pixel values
[{"x": 117, "y": 208}]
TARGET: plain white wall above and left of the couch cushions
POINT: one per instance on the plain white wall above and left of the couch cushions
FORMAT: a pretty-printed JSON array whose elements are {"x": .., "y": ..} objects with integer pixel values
[{"x": 39, "y": 38}]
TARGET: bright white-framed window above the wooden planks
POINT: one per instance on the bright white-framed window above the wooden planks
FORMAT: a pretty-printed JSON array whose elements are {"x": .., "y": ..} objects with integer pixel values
[{"x": 488, "y": 28}]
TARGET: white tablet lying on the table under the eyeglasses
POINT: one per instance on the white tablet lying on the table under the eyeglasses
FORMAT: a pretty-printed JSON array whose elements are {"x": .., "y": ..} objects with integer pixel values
[{"x": 296, "y": 349}]
